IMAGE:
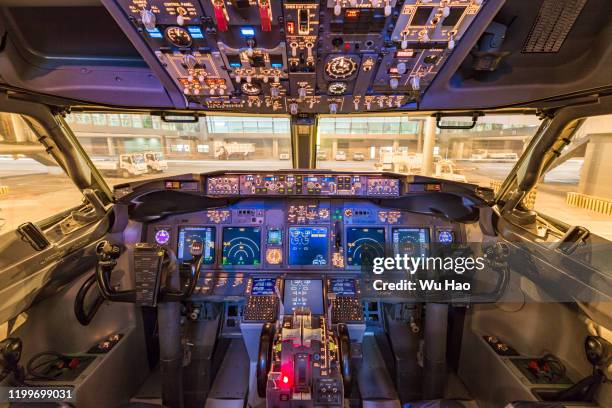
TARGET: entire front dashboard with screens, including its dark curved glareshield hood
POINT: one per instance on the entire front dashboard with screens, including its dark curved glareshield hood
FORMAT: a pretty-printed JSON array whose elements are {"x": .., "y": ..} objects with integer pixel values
[{"x": 277, "y": 241}]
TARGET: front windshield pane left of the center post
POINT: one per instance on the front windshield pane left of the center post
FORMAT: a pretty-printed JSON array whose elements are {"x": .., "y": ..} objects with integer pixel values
[{"x": 133, "y": 146}]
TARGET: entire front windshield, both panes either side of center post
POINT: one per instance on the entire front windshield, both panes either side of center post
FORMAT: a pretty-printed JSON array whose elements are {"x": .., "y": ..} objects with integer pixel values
[{"x": 405, "y": 144}]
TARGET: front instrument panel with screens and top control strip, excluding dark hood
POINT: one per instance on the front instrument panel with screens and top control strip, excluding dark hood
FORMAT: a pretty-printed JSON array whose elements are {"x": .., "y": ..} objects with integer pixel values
[{"x": 287, "y": 228}]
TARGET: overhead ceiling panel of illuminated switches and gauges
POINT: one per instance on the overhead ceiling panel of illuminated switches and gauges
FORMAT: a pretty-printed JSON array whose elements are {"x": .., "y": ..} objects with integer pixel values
[{"x": 298, "y": 56}]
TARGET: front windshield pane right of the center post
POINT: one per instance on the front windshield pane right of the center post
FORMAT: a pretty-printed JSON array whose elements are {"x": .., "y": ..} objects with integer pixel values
[{"x": 484, "y": 155}]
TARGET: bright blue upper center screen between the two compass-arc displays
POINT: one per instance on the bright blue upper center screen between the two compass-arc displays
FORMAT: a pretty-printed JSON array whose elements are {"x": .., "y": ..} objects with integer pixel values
[{"x": 308, "y": 246}]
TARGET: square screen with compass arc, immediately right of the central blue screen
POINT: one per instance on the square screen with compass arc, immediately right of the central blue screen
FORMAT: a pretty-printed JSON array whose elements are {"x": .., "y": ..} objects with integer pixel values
[{"x": 363, "y": 245}]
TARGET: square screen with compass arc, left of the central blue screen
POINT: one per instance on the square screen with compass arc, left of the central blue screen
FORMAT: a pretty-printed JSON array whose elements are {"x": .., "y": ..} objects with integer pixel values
[{"x": 241, "y": 246}]
